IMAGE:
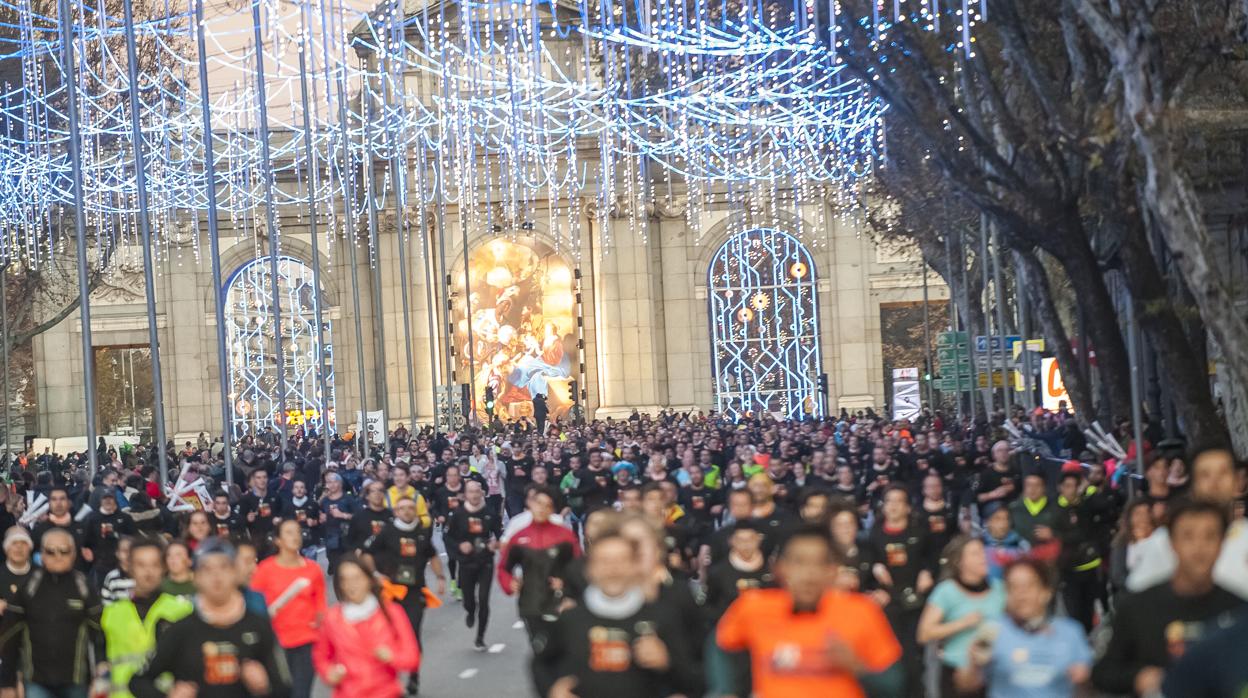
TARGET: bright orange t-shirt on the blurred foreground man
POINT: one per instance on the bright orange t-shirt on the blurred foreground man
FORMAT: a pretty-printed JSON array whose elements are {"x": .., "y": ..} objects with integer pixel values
[{"x": 788, "y": 651}]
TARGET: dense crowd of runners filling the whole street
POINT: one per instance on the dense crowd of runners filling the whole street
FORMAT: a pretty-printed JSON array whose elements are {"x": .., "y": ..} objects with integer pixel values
[{"x": 676, "y": 555}]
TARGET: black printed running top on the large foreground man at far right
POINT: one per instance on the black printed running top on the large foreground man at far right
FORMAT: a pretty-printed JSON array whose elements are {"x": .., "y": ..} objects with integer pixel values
[{"x": 1155, "y": 627}]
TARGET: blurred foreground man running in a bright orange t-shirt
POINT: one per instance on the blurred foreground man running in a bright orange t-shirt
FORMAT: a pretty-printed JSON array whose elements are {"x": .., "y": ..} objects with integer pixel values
[{"x": 808, "y": 639}]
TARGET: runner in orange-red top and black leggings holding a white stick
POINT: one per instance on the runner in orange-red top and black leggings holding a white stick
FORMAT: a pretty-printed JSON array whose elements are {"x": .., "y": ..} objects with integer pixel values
[{"x": 294, "y": 589}]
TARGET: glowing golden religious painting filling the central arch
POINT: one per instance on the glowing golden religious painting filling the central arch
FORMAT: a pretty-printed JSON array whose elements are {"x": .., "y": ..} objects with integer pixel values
[{"x": 524, "y": 329}]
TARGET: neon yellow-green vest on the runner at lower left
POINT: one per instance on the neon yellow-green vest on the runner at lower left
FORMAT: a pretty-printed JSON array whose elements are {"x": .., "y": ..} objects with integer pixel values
[{"x": 130, "y": 640}]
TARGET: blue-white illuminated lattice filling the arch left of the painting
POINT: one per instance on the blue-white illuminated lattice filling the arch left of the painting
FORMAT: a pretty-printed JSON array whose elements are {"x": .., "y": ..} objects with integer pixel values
[{"x": 253, "y": 363}]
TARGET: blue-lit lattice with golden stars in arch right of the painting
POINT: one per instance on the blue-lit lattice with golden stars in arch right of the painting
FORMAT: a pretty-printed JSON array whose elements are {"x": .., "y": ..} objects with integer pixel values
[{"x": 764, "y": 325}]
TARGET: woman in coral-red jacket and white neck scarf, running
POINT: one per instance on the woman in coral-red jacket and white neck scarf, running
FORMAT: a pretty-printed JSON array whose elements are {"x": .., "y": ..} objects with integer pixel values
[{"x": 365, "y": 642}]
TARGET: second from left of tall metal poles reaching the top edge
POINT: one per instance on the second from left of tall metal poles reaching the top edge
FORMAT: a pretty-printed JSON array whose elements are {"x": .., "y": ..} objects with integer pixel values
[{"x": 145, "y": 233}]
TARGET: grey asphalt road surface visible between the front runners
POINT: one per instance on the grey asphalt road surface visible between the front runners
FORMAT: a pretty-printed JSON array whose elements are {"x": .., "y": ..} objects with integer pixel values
[{"x": 451, "y": 667}]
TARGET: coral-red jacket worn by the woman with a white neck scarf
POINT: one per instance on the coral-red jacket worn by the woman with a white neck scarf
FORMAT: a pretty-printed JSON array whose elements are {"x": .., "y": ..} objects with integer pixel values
[{"x": 354, "y": 646}]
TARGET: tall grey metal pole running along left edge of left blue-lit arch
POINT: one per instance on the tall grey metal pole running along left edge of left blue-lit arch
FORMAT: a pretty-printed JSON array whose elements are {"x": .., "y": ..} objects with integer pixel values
[{"x": 219, "y": 300}]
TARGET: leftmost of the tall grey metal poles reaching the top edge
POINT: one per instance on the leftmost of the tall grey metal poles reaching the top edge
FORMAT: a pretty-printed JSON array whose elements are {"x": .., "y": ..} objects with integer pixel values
[{"x": 72, "y": 114}]
